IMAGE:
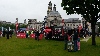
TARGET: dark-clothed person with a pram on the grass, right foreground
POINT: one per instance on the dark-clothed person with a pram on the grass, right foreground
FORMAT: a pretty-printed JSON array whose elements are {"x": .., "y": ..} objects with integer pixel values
[{"x": 72, "y": 40}]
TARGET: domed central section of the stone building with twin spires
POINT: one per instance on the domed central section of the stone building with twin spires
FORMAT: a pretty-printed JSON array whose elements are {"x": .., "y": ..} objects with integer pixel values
[{"x": 53, "y": 16}]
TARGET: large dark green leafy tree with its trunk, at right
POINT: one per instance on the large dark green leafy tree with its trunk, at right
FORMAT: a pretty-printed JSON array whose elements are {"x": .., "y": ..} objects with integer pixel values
[{"x": 89, "y": 9}]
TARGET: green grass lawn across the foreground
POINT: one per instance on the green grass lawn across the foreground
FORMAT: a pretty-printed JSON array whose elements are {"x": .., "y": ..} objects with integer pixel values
[{"x": 30, "y": 47}]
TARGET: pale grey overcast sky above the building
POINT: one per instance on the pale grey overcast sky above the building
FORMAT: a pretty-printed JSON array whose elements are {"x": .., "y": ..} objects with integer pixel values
[{"x": 29, "y": 9}]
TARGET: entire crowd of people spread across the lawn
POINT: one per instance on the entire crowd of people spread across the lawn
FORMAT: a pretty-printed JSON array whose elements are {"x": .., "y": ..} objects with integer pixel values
[{"x": 73, "y": 33}]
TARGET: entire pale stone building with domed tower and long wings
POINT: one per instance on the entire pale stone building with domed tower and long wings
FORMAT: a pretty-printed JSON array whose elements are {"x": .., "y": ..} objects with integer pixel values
[{"x": 53, "y": 17}]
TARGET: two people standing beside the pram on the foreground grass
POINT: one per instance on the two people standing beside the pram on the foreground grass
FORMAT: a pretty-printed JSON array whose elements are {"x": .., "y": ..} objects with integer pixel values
[{"x": 71, "y": 35}]
